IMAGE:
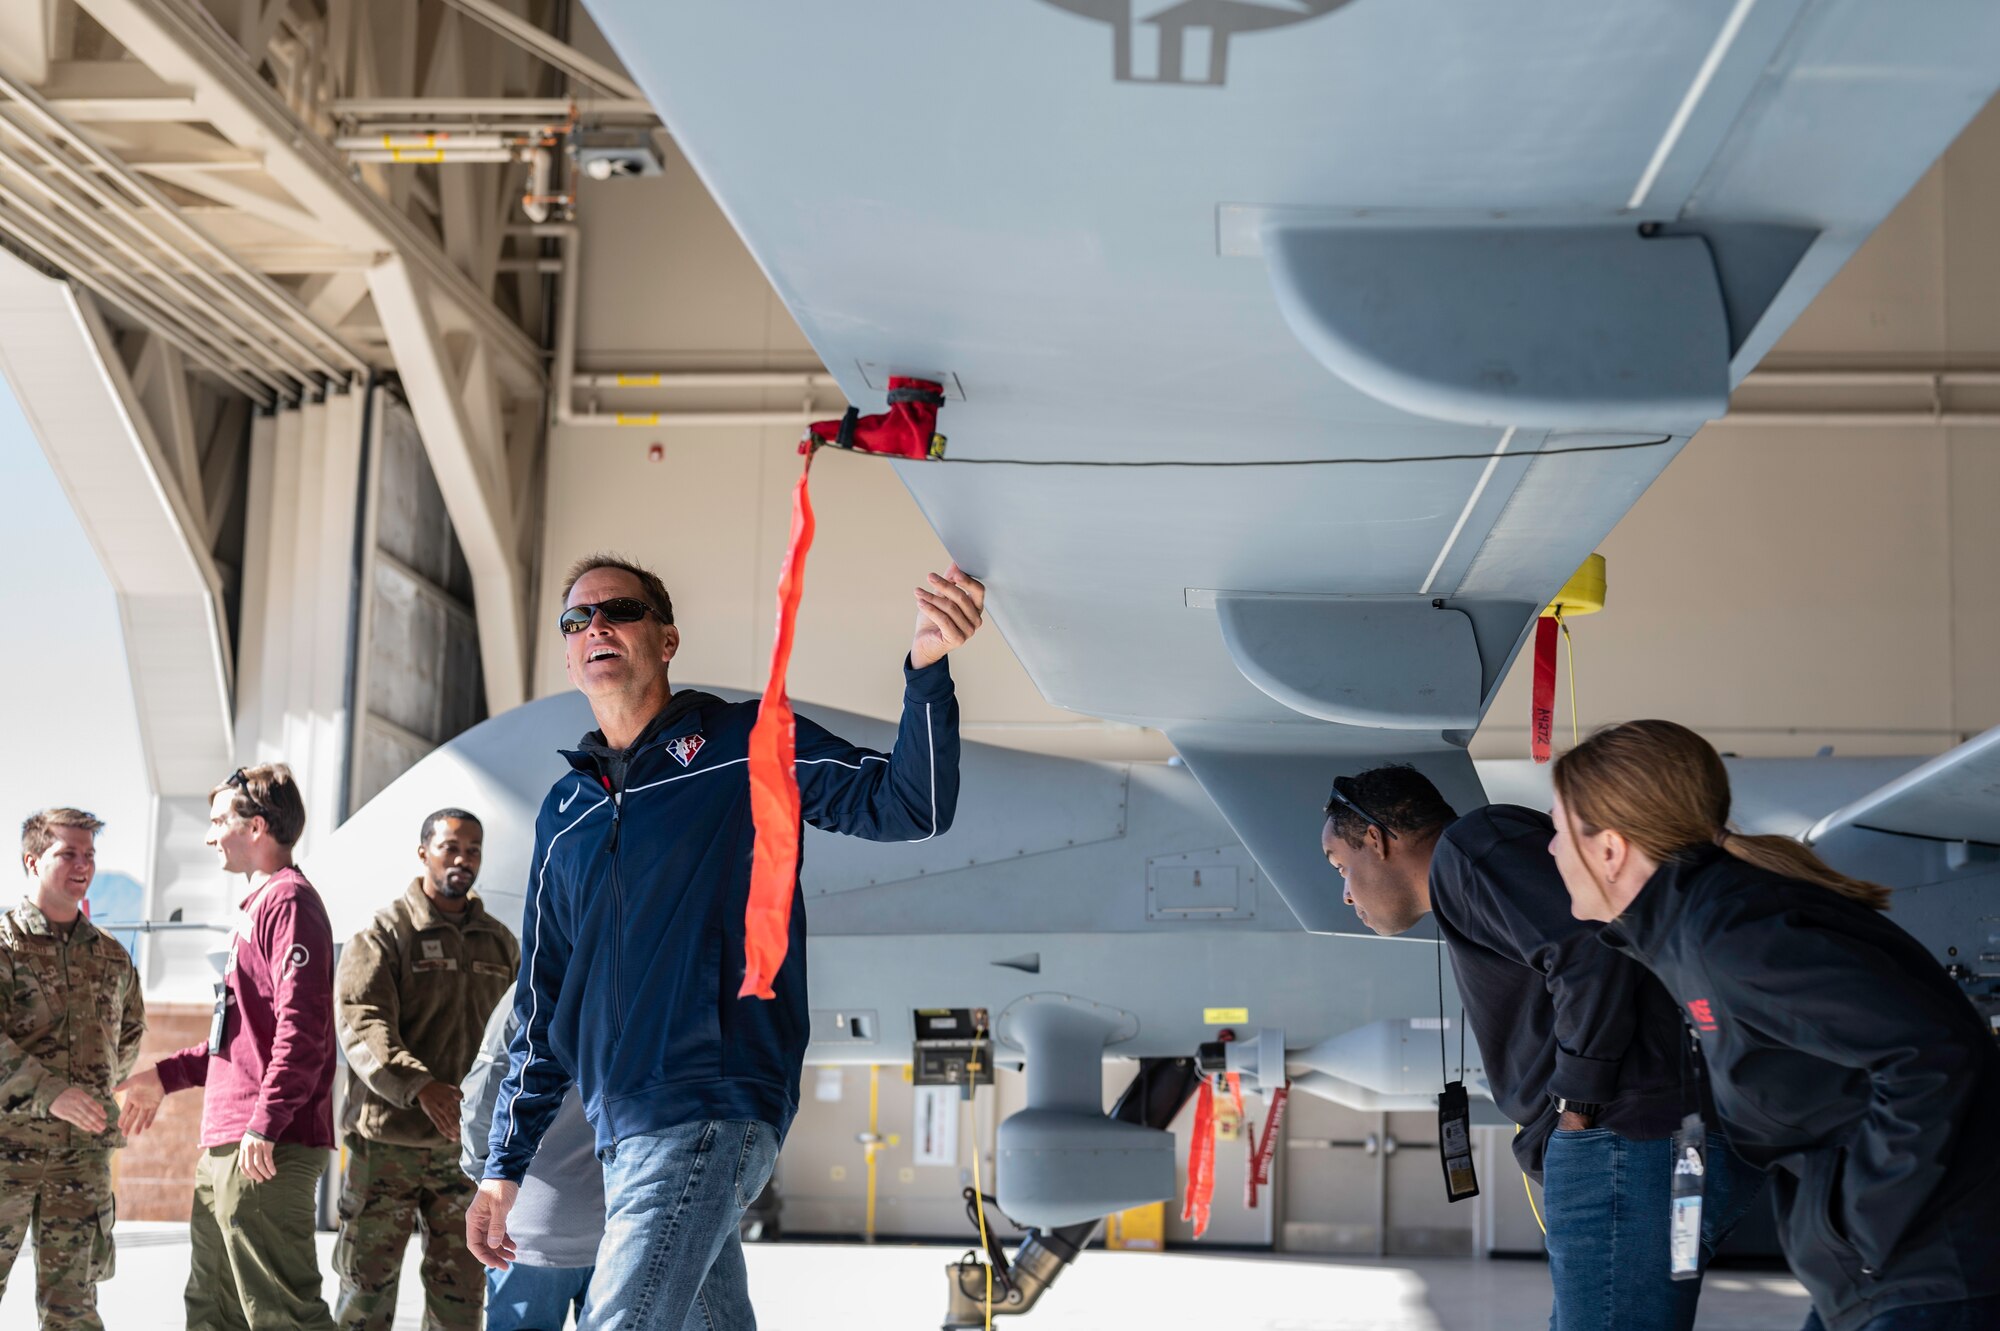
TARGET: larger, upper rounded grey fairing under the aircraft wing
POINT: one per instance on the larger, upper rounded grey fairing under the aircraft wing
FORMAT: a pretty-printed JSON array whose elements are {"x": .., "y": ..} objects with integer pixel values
[{"x": 1551, "y": 327}]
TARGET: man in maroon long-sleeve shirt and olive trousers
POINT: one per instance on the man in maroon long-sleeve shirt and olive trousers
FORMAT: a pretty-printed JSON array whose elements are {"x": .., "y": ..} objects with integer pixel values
[{"x": 269, "y": 1068}]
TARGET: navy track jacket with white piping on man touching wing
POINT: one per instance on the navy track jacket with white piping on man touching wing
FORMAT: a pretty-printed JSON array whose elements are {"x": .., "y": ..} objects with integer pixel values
[{"x": 633, "y": 938}]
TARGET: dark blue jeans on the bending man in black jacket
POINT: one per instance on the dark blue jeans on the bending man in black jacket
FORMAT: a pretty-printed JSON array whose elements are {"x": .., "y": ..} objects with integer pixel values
[{"x": 1609, "y": 1206}]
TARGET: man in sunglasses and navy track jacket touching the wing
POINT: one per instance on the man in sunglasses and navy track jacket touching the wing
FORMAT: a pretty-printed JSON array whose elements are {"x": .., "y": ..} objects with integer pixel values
[{"x": 633, "y": 944}]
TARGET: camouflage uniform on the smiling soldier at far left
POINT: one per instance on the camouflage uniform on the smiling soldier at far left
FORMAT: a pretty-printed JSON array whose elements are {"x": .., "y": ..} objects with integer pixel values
[{"x": 71, "y": 1014}]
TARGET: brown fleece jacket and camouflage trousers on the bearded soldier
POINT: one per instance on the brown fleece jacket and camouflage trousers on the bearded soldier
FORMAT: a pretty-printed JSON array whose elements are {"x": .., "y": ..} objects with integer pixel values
[{"x": 413, "y": 996}]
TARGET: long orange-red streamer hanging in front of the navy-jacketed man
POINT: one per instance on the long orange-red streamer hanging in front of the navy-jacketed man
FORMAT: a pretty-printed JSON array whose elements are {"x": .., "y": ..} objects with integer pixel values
[{"x": 775, "y": 776}]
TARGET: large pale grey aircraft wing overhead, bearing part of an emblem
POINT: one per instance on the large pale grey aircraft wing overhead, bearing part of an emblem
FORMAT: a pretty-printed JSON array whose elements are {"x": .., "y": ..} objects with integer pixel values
[{"x": 1299, "y": 351}]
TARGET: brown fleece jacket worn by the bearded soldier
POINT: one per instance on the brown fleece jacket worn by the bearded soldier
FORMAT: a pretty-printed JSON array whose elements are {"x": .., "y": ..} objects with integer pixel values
[{"x": 413, "y": 996}]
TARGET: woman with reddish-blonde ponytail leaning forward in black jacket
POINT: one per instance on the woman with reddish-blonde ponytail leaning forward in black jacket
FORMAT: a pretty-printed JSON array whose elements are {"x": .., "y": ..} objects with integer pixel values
[{"x": 1841, "y": 1054}]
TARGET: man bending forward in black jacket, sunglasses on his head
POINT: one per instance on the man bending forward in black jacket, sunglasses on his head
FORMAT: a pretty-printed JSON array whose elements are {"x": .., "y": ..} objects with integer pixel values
[{"x": 1583, "y": 1050}]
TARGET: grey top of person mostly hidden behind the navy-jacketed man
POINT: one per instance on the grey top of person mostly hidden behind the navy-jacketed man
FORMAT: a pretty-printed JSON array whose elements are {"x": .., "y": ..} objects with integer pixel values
[{"x": 559, "y": 1216}]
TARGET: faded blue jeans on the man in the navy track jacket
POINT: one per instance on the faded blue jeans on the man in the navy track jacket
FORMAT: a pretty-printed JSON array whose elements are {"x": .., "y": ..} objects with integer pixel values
[{"x": 671, "y": 1256}]
